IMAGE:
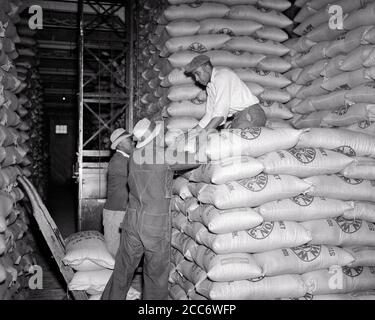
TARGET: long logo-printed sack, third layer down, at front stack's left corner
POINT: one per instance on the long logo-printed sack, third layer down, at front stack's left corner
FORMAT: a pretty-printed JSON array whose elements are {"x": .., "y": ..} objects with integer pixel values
[{"x": 251, "y": 192}]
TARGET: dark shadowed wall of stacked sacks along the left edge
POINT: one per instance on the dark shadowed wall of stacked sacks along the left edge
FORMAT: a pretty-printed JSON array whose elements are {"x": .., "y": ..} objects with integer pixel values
[{"x": 16, "y": 243}]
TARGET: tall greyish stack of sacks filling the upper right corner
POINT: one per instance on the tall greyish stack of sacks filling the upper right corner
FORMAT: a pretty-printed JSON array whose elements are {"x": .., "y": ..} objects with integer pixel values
[{"x": 334, "y": 70}]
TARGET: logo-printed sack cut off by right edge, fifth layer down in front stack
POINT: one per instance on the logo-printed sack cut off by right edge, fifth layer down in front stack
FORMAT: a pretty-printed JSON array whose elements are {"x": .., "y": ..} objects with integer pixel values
[{"x": 341, "y": 232}]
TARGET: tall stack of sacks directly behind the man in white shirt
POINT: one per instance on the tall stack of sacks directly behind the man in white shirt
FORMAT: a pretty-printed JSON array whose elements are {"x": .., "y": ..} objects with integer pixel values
[{"x": 245, "y": 36}]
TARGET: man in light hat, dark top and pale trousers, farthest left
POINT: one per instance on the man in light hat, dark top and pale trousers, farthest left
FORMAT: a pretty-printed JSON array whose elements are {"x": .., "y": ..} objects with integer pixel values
[{"x": 117, "y": 188}]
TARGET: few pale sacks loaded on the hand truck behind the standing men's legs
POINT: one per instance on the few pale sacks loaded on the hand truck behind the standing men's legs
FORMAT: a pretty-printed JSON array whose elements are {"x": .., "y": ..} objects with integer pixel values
[{"x": 87, "y": 254}]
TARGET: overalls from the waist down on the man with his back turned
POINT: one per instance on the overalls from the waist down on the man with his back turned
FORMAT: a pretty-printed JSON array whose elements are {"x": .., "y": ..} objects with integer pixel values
[{"x": 148, "y": 235}]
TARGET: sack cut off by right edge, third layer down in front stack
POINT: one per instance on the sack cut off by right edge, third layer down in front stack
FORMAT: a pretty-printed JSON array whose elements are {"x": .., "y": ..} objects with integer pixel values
[{"x": 342, "y": 188}]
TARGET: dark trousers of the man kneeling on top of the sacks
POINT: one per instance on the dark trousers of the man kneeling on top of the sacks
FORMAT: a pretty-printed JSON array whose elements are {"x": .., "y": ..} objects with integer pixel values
[{"x": 253, "y": 116}]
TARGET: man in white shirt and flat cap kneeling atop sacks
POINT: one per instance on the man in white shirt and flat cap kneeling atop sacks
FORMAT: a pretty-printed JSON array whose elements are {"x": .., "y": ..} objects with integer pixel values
[{"x": 228, "y": 97}]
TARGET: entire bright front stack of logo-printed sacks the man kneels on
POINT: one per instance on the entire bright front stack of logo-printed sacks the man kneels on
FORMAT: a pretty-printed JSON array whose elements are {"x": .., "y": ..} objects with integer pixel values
[{"x": 272, "y": 216}]
